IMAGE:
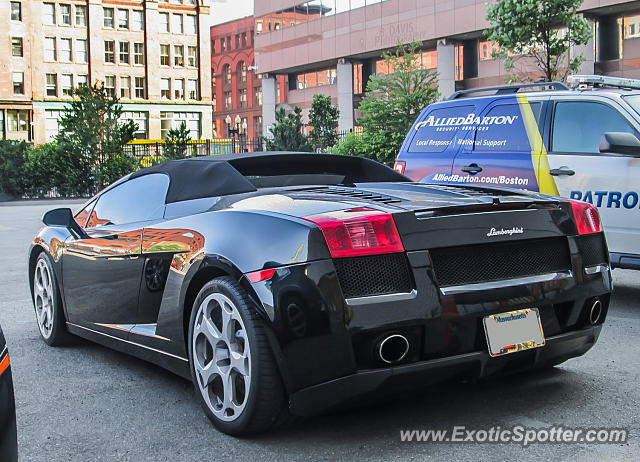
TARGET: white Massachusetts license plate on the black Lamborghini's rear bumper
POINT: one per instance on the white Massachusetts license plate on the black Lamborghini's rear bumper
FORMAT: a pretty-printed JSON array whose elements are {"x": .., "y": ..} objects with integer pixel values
[{"x": 513, "y": 331}]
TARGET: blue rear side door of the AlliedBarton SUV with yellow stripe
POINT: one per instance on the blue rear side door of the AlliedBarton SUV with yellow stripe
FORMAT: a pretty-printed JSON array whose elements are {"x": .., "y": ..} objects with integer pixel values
[{"x": 505, "y": 148}]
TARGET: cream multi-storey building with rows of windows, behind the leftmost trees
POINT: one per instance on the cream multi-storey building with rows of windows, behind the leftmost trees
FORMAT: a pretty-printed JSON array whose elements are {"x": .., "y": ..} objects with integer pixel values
[{"x": 147, "y": 52}]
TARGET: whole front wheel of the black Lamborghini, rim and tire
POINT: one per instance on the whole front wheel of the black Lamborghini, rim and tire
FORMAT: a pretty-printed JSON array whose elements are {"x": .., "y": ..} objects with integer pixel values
[{"x": 48, "y": 303}]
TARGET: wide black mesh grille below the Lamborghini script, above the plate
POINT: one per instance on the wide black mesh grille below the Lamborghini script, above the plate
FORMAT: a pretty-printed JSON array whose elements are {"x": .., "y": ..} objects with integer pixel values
[{"x": 503, "y": 260}]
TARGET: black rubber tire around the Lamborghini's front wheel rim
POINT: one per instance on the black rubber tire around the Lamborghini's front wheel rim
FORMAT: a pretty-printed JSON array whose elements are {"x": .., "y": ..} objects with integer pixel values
[{"x": 55, "y": 332}]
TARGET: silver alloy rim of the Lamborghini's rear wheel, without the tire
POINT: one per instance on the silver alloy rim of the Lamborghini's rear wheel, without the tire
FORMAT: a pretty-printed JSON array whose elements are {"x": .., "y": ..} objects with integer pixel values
[{"x": 221, "y": 357}]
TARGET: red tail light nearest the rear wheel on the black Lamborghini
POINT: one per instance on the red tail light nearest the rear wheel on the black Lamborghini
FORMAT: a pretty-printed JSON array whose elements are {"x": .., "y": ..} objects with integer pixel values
[{"x": 358, "y": 232}]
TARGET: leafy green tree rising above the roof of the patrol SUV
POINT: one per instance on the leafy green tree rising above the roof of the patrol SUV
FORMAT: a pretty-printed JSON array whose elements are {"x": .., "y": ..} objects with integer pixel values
[{"x": 543, "y": 31}]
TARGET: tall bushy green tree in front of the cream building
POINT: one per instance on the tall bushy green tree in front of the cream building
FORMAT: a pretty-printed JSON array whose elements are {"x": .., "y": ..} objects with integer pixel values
[{"x": 91, "y": 141}]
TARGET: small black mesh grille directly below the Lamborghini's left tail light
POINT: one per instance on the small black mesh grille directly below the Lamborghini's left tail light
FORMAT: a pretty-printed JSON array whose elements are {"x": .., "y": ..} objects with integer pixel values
[{"x": 373, "y": 275}]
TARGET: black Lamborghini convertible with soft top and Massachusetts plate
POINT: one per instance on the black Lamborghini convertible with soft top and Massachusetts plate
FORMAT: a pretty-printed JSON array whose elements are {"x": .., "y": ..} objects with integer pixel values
[{"x": 295, "y": 283}]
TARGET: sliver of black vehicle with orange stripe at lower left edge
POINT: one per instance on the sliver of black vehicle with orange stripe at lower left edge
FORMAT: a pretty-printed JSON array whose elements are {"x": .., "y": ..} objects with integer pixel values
[{"x": 8, "y": 434}]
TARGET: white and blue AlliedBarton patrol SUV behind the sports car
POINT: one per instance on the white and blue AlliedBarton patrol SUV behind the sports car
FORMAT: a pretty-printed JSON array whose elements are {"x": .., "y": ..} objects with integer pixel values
[{"x": 579, "y": 142}]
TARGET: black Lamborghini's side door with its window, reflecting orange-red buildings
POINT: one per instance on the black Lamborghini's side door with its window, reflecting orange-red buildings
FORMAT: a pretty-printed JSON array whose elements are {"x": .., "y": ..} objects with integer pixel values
[{"x": 101, "y": 273}]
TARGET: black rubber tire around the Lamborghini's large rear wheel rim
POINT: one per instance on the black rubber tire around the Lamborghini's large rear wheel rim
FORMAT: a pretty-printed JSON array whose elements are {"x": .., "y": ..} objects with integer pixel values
[{"x": 265, "y": 401}]
